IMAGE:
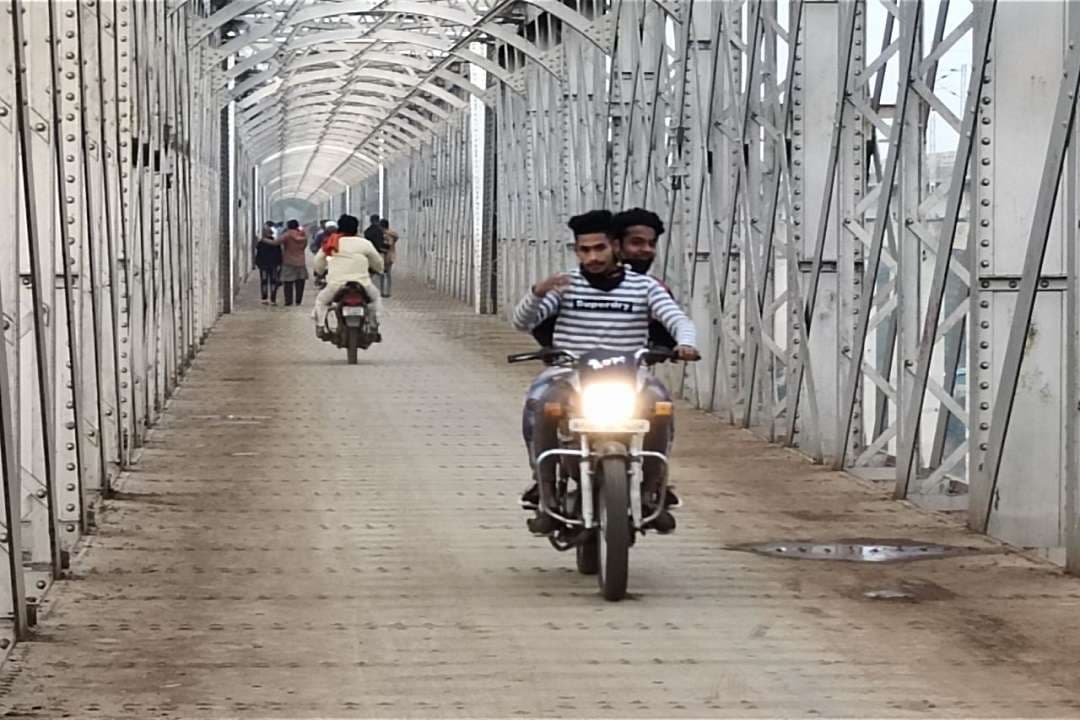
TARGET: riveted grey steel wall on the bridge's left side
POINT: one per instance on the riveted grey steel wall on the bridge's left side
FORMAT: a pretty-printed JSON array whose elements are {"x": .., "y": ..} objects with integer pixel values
[{"x": 109, "y": 278}]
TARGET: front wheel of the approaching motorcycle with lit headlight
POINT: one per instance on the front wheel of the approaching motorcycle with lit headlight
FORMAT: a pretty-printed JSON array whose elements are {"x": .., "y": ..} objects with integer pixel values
[{"x": 613, "y": 537}]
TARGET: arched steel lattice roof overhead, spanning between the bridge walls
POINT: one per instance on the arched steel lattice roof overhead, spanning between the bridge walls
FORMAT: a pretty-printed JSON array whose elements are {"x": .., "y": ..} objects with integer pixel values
[{"x": 366, "y": 77}]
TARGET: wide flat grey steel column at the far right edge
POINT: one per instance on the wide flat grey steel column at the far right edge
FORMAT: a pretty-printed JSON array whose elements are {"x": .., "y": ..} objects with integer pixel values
[{"x": 1006, "y": 494}]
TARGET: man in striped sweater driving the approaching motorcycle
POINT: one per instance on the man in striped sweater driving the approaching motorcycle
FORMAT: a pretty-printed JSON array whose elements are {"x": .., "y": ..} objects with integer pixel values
[{"x": 602, "y": 305}]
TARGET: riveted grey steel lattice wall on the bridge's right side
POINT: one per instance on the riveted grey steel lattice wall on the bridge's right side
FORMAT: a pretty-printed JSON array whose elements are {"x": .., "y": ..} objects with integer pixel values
[{"x": 847, "y": 247}]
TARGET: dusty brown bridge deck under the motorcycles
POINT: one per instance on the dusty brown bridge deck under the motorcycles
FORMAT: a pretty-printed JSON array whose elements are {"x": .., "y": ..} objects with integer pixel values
[{"x": 301, "y": 538}]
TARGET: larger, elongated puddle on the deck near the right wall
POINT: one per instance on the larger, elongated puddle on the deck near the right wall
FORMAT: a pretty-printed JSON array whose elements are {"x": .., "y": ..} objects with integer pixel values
[{"x": 883, "y": 551}]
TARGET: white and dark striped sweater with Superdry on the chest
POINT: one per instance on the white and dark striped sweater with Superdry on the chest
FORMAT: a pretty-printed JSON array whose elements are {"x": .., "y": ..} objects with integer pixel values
[{"x": 590, "y": 319}]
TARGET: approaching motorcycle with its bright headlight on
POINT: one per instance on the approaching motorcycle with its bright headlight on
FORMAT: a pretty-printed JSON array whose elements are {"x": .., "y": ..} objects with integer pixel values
[{"x": 600, "y": 460}]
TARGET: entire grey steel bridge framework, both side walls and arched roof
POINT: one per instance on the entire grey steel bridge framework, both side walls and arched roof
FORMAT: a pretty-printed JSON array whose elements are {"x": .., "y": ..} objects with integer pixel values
[{"x": 872, "y": 211}]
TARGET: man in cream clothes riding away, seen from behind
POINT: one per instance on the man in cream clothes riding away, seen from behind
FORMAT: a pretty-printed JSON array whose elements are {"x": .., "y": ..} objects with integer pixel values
[{"x": 347, "y": 259}]
